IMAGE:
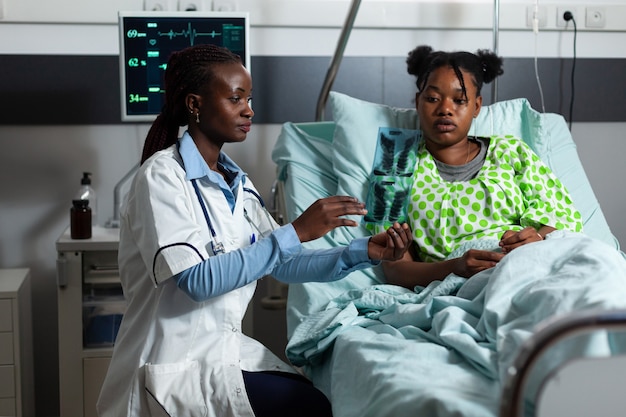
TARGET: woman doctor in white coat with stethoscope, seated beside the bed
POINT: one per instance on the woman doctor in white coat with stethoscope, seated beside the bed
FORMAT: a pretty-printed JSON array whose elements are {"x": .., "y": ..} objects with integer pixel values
[{"x": 194, "y": 238}]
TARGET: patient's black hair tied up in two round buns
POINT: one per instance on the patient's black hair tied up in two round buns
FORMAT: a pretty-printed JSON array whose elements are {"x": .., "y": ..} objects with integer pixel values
[{"x": 484, "y": 65}]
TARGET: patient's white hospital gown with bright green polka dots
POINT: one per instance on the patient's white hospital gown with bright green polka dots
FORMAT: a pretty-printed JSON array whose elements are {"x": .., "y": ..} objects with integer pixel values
[{"x": 513, "y": 189}]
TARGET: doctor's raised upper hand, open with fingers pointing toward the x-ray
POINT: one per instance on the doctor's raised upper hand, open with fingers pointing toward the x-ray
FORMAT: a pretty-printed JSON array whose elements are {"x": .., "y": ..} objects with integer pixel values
[{"x": 326, "y": 214}]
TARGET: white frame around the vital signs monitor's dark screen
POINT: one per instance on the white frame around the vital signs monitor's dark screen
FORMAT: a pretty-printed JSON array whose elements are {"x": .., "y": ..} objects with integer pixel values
[{"x": 125, "y": 117}]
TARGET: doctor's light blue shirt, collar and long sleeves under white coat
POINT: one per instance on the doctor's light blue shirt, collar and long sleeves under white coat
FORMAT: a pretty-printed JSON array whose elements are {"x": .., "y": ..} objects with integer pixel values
[{"x": 280, "y": 254}]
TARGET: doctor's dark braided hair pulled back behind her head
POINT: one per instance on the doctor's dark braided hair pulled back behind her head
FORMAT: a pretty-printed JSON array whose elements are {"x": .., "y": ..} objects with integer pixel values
[{"x": 188, "y": 71}]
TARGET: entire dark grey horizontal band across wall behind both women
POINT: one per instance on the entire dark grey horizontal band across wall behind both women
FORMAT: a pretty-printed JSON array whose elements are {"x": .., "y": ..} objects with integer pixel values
[{"x": 79, "y": 90}]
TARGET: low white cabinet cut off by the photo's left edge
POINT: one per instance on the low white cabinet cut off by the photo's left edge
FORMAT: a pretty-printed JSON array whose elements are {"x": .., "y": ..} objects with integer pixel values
[{"x": 16, "y": 344}]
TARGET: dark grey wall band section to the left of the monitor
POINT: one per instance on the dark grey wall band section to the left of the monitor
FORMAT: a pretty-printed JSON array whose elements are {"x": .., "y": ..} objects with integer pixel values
[{"x": 59, "y": 90}]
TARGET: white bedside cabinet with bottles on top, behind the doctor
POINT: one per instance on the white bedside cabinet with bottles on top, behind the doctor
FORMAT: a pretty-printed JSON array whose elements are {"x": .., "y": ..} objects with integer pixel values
[{"x": 90, "y": 308}]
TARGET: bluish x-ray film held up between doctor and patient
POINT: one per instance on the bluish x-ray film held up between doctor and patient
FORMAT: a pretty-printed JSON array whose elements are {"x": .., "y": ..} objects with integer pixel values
[{"x": 391, "y": 176}]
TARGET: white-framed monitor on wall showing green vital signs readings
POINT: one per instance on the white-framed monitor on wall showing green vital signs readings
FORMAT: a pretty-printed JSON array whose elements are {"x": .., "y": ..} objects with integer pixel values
[{"x": 148, "y": 38}]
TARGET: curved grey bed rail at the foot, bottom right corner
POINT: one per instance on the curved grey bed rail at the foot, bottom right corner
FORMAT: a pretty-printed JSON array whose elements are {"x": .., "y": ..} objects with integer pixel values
[{"x": 552, "y": 333}]
